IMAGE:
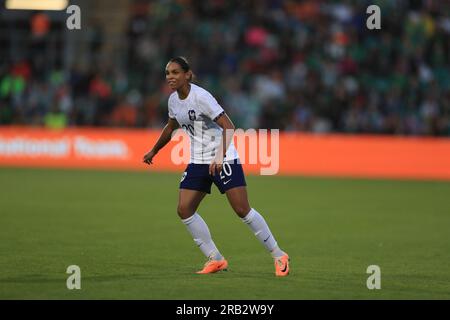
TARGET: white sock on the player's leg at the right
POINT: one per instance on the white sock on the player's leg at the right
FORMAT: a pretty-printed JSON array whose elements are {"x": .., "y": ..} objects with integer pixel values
[{"x": 261, "y": 230}]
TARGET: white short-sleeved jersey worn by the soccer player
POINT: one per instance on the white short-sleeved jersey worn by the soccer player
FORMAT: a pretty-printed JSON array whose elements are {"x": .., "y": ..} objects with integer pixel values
[{"x": 196, "y": 114}]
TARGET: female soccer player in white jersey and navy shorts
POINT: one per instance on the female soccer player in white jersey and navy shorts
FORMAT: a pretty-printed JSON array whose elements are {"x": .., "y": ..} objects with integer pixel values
[{"x": 210, "y": 131}]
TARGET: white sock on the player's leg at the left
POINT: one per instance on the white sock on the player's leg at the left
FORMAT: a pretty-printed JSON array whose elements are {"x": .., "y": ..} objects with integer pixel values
[{"x": 202, "y": 237}]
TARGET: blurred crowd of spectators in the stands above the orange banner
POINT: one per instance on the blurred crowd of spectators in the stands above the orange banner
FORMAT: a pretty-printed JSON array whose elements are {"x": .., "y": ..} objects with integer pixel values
[{"x": 294, "y": 65}]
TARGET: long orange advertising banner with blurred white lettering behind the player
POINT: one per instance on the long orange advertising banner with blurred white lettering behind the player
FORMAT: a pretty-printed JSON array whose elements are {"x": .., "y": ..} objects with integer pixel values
[{"x": 271, "y": 153}]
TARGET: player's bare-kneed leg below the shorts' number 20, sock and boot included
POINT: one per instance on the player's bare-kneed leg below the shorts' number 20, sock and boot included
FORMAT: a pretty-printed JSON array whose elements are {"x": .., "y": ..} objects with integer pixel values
[{"x": 238, "y": 200}]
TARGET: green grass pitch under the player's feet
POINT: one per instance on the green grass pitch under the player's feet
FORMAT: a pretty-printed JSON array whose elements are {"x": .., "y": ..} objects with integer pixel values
[{"x": 122, "y": 230}]
